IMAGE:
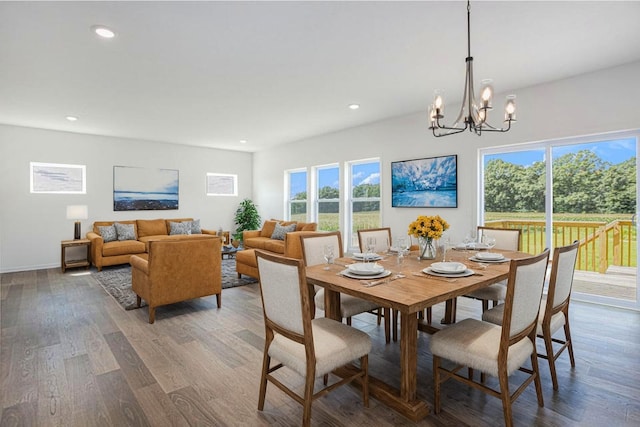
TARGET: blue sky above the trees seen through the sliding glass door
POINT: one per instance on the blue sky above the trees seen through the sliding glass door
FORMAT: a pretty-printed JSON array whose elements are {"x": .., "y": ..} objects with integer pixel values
[{"x": 613, "y": 151}]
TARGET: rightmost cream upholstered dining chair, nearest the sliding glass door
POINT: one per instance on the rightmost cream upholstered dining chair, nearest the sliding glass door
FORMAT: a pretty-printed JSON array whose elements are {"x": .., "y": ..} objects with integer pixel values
[{"x": 554, "y": 310}]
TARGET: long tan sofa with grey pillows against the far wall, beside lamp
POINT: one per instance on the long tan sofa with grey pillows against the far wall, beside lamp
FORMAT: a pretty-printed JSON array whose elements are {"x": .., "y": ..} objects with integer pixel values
[{"x": 119, "y": 251}]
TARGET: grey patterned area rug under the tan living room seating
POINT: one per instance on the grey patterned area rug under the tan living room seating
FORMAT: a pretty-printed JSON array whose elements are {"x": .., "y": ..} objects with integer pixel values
[{"x": 116, "y": 281}]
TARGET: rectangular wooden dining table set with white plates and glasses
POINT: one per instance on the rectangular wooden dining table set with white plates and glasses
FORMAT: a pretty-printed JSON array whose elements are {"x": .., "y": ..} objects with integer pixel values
[{"x": 408, "y": 291}]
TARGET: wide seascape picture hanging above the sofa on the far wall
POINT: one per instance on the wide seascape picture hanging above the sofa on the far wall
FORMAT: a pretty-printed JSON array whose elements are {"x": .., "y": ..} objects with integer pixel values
[{"x": 143, "y": 189}]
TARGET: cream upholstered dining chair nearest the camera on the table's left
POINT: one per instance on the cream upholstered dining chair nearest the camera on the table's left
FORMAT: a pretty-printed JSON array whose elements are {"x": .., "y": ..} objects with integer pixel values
[{"x": 310, "y": 347}]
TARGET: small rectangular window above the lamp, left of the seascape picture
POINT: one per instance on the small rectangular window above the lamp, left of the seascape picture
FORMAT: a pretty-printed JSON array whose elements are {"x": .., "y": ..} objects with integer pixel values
[{"x": 58, "y": 178}]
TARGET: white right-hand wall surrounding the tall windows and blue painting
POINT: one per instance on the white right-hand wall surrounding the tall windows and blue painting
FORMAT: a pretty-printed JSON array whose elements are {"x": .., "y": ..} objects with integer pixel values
[{"x": 593, "y": 103}]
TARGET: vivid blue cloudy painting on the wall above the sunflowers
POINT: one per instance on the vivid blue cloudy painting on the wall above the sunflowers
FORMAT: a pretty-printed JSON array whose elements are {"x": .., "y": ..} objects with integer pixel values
[{"x": 425, "y": 183}]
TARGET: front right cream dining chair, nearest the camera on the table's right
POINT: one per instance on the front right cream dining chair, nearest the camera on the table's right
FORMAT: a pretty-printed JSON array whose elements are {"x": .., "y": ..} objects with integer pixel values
[{"x": 497, "y": 350}]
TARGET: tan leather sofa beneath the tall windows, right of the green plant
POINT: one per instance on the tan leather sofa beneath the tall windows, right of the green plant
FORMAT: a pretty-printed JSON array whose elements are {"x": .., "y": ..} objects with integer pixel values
[{"x": 261, "y": 239}]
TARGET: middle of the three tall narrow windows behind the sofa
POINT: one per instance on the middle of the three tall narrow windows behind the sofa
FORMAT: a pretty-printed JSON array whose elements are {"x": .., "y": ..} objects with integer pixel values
[{"x": 328, "y": 198}]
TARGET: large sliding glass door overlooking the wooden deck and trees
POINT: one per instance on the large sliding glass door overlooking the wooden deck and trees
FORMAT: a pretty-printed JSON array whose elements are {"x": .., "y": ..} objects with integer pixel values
[{"x": 581, "y": 189}]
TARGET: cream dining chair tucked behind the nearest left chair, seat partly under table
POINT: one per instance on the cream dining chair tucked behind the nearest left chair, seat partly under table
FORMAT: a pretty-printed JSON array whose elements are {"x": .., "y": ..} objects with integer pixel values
[{"x": 313, "y": 254}]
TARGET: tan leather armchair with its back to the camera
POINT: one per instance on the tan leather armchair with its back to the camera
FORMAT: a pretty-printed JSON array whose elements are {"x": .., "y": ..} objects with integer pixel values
[{"x": 177, "y": 269}]
